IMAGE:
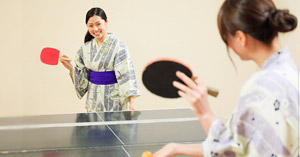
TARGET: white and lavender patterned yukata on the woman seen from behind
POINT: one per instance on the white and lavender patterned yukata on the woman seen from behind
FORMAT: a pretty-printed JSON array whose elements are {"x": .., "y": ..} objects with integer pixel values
[{"x": 266, "y": 120}]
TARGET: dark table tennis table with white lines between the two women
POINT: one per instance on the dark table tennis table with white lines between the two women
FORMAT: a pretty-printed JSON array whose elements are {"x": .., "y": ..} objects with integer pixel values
[{"x": 105, "y": 134}]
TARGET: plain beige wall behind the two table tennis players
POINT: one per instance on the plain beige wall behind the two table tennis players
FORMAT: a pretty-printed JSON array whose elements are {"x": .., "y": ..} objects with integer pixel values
[{"x": 182, "y": 29}]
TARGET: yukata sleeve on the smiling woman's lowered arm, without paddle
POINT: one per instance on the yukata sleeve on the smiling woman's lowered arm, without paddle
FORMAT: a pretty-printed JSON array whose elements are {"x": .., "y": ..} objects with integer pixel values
[{"x": 125, "y": 75}]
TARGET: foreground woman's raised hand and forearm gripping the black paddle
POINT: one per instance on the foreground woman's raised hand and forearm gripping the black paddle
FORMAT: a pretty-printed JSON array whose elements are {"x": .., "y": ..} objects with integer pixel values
[{"x": 195, "y": 92}]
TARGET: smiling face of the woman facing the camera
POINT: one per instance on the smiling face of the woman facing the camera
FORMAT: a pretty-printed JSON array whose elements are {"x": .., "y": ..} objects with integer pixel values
[{"x": 97, "y": 27}]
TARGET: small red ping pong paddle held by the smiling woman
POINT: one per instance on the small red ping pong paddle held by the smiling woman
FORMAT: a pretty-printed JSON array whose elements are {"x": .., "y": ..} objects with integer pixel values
[{"x": 51, "y": 56}]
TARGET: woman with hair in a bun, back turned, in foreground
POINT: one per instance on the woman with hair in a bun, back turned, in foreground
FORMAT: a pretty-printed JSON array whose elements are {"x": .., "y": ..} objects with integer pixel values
[{"x": 266, "y": 120}]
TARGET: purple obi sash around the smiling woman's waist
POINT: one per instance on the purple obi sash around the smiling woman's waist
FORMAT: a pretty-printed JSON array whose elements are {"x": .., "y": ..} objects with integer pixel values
[{"x": 103, "y": 77}]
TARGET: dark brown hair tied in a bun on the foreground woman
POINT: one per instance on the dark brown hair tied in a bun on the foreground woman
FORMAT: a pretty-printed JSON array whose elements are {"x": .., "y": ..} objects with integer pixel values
[{"x": 258, "y": 18}]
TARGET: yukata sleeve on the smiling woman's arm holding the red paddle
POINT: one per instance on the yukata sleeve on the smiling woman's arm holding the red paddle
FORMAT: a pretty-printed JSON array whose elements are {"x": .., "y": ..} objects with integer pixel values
[{"x": 80, "y": 75}]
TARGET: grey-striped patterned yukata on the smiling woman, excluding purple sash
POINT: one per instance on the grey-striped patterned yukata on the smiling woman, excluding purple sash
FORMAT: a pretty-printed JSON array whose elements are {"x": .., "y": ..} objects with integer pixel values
[{"x": 112, "y": 55}]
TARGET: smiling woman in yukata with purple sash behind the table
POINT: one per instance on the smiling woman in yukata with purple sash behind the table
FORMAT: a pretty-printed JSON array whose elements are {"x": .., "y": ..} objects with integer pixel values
[{"x": 103, "y": 68}]
